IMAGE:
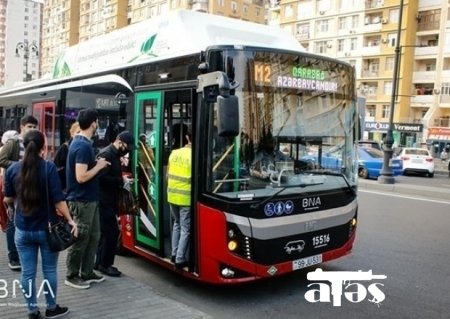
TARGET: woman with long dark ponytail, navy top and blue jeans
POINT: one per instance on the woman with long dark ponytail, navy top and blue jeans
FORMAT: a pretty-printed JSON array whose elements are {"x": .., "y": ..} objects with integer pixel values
[{"x": 35, "y": 209}]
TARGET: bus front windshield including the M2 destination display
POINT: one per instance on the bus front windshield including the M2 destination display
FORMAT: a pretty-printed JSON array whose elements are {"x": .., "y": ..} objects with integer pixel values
[{"x": 297, "y": 119}]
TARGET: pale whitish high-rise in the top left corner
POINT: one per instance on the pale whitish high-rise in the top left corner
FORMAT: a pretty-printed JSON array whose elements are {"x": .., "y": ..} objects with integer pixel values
[{"x": 20, "y": 22}]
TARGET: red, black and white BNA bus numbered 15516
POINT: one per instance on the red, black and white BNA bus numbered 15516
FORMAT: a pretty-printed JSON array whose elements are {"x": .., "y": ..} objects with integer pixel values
[{"x": 258, "y": 105}]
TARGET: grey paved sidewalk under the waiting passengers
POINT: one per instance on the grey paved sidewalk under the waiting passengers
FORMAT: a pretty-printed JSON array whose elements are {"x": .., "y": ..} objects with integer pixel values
[{"x": 120, "y": 297}]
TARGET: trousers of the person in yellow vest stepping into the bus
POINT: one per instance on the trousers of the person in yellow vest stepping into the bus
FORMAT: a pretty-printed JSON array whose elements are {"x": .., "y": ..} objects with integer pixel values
[{"x": 181, "y": 232}]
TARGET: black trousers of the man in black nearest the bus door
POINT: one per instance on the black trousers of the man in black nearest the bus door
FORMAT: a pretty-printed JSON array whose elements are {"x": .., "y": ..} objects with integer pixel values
[{"x": 109, "y": 235}]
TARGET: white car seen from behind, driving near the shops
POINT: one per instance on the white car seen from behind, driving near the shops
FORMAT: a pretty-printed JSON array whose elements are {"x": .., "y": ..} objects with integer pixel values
[{"x": 417, "y": 160}]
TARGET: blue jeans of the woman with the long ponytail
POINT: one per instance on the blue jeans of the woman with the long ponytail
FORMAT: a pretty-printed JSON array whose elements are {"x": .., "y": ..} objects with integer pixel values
[{"x": 28, "y": 245}]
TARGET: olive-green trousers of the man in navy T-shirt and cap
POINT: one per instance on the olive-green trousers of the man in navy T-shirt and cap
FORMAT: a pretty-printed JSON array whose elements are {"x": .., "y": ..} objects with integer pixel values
[{"x": 81, "y": 255}]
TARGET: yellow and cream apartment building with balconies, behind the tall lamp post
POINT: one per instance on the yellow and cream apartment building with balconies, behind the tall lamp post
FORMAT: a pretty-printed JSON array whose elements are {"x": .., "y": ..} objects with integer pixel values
[{"x": 364, "y": 33}]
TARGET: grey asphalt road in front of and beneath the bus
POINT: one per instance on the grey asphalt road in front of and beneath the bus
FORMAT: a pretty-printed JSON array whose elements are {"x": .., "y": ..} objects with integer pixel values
[{"x": 400, "y": 235}]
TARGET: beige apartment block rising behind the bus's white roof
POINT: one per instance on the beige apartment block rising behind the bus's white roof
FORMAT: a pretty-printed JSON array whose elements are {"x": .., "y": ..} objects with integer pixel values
[{"x": 67, "y": 22}]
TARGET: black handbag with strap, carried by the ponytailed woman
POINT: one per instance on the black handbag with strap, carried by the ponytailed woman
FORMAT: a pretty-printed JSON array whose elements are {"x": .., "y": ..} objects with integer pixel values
[{"x": 59, "y": 235}]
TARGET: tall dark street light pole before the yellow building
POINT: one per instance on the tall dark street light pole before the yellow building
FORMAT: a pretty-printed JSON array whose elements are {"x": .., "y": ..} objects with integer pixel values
[{"x": 386, "y": 174}]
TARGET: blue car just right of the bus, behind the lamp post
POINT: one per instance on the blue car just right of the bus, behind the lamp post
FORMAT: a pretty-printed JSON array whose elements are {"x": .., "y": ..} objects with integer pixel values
[{"x": 370, "y": 163}]
